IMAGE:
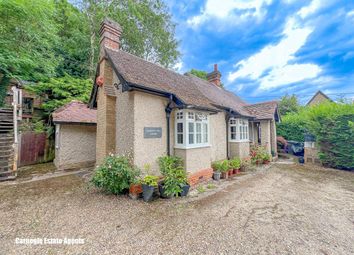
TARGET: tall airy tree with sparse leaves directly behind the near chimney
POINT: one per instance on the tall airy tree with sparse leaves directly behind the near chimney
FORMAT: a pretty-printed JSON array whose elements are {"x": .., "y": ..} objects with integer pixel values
[{"x": 148, "y": 31}]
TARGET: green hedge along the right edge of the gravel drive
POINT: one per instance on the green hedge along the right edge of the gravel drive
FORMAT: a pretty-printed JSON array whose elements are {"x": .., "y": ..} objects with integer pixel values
[{"x": 332, "y": 125}]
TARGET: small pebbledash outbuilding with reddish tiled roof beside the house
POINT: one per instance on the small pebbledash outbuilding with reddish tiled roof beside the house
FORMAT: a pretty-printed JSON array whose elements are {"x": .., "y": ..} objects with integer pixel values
[{"x": 75, "y": 136}]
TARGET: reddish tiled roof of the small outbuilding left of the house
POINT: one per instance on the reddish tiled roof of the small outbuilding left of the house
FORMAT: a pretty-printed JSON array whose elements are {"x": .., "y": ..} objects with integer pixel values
[{"x": 75, "y": 112}]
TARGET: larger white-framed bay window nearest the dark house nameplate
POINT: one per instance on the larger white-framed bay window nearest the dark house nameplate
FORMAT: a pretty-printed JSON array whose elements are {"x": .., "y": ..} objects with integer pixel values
[{"x": 192, "y": 129}]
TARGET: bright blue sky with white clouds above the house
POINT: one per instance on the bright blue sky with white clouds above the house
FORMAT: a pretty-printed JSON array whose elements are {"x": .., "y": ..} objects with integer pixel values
[{"x": 267, "y": 48}]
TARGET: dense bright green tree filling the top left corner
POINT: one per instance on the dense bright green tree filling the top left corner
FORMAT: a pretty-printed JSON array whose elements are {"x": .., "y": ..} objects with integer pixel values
[{"x": 28, "y": 35}]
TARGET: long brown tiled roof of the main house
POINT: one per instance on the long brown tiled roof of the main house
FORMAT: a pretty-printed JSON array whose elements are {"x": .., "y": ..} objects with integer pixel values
[{"x": 190, "y": 89}]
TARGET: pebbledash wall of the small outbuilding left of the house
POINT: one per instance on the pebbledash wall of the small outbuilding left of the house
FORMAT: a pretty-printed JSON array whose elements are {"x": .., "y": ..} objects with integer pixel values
[{"x": 75, "y": 147}]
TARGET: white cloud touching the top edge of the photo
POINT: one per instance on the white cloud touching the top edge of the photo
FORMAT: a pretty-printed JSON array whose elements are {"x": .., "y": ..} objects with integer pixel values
[{"x": 216, "y": 9}]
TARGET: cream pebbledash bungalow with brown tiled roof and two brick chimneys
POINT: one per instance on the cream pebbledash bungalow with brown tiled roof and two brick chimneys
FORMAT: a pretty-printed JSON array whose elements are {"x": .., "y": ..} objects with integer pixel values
[{"x": 149, "y": 111}]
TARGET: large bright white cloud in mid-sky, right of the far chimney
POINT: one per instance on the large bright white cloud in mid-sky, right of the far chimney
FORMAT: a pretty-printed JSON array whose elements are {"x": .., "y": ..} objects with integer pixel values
[{"x": 273, "y": 66}]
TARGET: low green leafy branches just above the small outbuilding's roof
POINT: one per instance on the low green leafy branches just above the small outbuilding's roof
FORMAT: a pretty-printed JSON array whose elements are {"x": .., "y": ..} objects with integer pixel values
[{"x": 59, "y": 91}]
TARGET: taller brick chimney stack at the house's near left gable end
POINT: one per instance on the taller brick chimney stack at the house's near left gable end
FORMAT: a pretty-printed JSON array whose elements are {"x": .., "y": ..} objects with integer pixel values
[{"x": 110, "y": 34}]
